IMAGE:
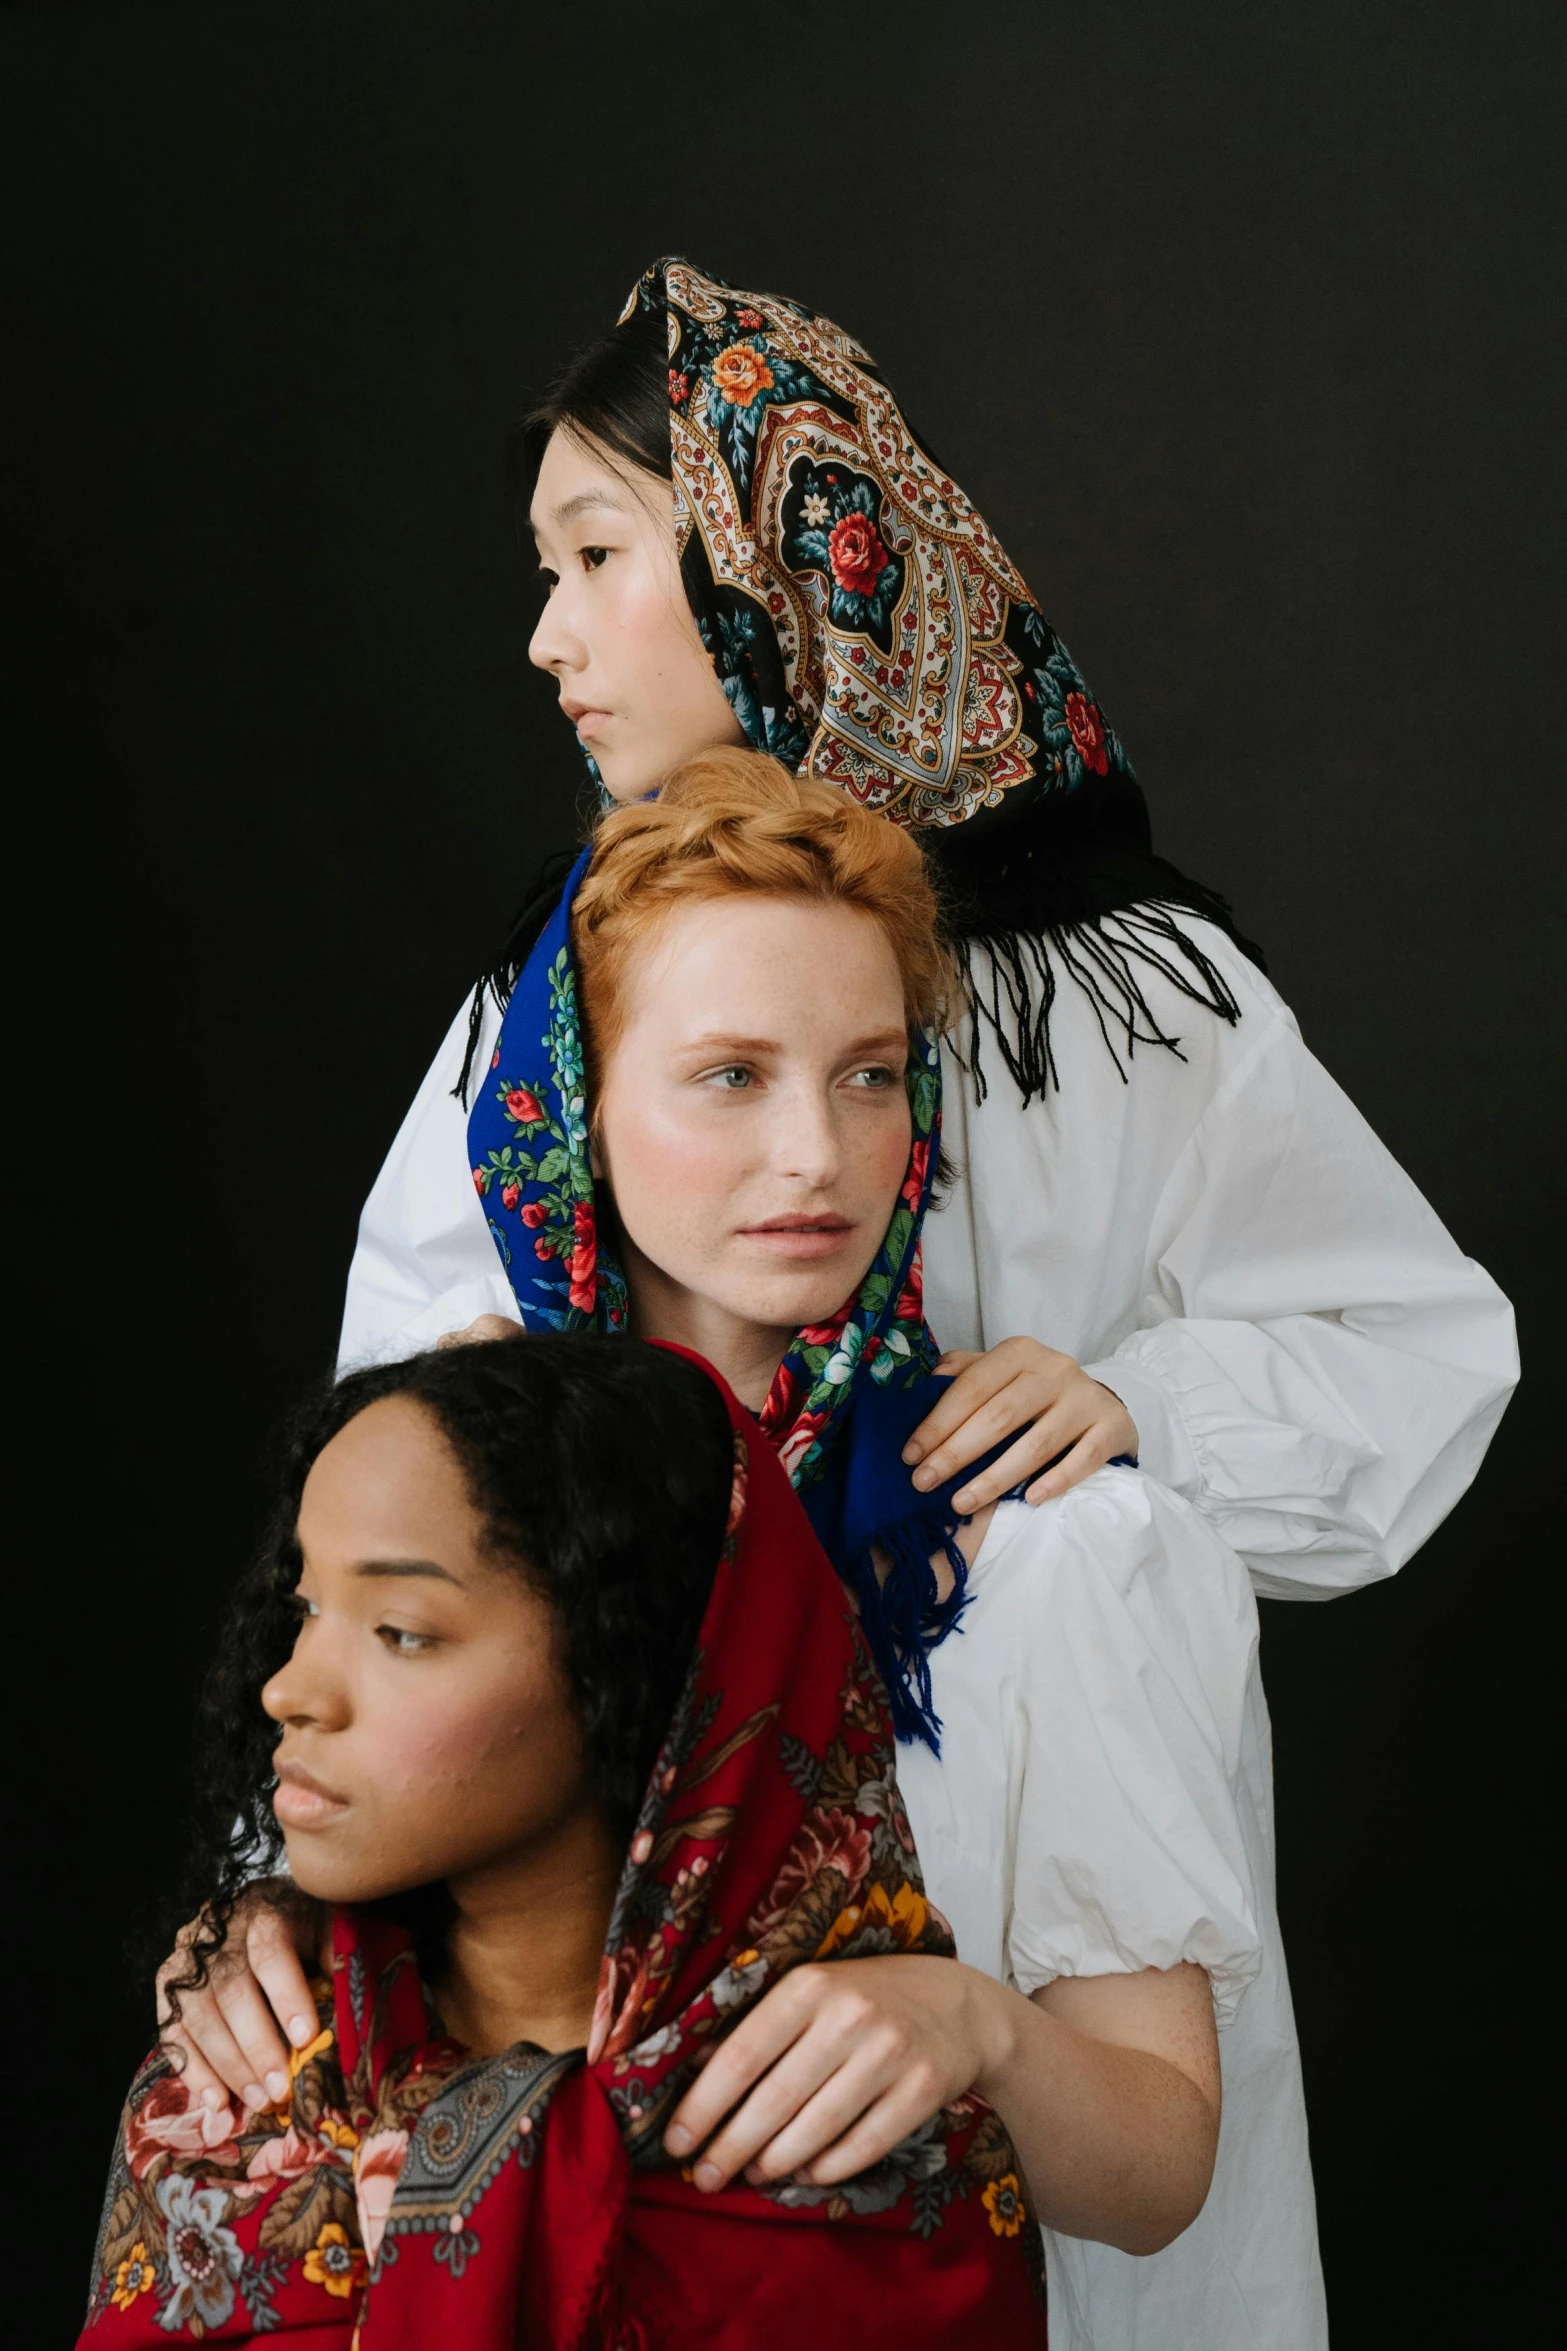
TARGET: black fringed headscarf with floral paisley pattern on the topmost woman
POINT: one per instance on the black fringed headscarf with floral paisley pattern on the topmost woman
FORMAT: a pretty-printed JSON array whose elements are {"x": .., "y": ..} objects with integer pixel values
[{"x": 870, "y": 629}]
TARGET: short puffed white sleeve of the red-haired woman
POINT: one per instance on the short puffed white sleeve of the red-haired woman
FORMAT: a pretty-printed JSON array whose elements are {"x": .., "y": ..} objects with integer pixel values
[{"x": 1136, "y": 1640}]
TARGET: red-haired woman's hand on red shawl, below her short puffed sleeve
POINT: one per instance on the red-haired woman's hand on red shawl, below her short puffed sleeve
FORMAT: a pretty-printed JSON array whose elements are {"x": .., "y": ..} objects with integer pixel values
[{"x": 833, "y": 2068}]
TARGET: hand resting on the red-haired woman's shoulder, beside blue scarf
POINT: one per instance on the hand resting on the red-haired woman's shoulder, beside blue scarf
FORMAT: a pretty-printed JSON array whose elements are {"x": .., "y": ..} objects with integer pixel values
[{"x": 1028, "y": 1391}]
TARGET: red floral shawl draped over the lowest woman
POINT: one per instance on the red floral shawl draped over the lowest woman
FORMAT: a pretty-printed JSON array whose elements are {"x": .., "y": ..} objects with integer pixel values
[{"x": 405, "y": 2195}]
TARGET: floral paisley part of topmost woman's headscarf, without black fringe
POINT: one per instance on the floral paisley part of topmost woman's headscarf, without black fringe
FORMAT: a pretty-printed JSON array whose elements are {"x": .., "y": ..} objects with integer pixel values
[{"x": 866, "y": 622}]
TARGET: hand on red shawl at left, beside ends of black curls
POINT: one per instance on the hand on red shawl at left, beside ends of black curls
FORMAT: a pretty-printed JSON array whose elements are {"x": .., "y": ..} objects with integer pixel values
[{"x": 231, "y": 2037}]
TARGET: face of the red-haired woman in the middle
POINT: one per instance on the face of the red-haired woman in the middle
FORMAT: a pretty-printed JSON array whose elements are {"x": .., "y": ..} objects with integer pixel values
[{"x": 753, "y": 1116}]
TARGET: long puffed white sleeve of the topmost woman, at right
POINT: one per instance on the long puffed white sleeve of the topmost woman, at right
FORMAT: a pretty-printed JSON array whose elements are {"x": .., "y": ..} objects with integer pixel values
[{"x": 1336, "y": 1367}]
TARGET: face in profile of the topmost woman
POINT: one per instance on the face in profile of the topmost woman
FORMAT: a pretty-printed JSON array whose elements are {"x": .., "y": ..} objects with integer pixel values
[{"x": 617, "y": 631}]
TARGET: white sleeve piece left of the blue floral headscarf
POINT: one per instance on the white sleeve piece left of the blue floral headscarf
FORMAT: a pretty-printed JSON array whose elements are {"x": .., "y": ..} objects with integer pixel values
[{"x": 424, "y": 1261}]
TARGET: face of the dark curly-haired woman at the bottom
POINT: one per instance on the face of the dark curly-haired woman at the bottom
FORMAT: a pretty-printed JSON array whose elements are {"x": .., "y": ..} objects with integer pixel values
[{"x": 426, "y": 1724}]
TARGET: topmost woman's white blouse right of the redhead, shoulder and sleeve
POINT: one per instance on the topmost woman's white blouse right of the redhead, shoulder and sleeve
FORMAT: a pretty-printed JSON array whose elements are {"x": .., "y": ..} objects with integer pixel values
[{"x": 1228, "y": 1245}]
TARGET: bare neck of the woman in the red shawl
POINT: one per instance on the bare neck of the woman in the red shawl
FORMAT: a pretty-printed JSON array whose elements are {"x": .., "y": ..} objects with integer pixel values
[{"x": 527, "y": 1938}]
